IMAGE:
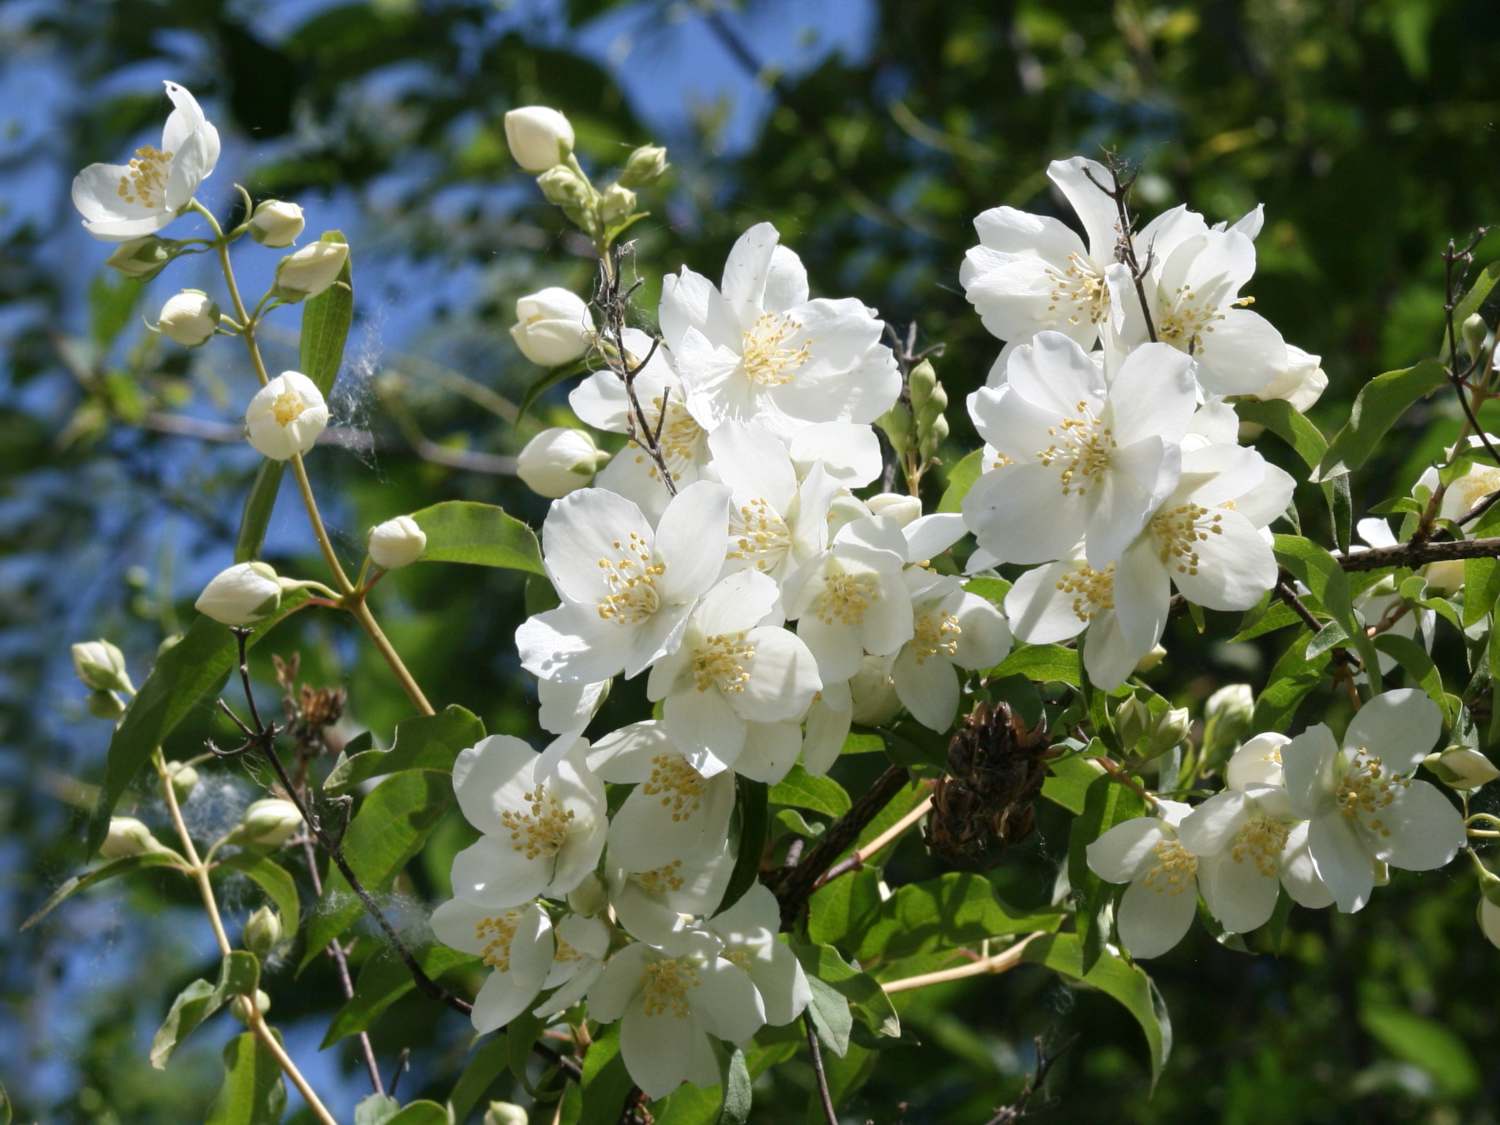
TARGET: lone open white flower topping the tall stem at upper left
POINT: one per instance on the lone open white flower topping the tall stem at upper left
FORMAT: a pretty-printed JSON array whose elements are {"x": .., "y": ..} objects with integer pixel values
[{"x": 124, "y": 202}]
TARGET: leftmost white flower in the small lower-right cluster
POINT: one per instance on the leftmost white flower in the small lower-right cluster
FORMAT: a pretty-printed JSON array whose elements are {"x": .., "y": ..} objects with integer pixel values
[{"x": 1163, "y": 875}]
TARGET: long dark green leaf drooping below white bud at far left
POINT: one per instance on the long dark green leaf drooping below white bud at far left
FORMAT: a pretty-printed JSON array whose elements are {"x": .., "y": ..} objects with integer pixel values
[{"x": 185, "y": 676}]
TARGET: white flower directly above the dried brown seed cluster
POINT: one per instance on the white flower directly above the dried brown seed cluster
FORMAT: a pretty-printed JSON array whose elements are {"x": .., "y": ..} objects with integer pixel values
[{"x": 952, "y": 629}]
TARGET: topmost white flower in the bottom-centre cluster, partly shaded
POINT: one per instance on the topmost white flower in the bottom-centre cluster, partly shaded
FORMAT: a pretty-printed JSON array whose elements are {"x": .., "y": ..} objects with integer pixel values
[{"x": 676, "y": 812}]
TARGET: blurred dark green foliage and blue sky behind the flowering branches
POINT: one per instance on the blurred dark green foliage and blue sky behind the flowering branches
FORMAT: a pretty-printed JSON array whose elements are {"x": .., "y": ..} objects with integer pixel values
[{"x": 871, "y": 134}]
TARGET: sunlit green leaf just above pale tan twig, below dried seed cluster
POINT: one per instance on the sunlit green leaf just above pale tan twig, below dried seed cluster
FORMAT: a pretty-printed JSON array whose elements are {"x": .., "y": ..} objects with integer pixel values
[{"x": 958, "y": 908}]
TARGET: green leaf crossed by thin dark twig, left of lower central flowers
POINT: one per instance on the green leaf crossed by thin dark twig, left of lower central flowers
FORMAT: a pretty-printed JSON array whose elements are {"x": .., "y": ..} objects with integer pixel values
[{"x": 386, "y": 833}]
